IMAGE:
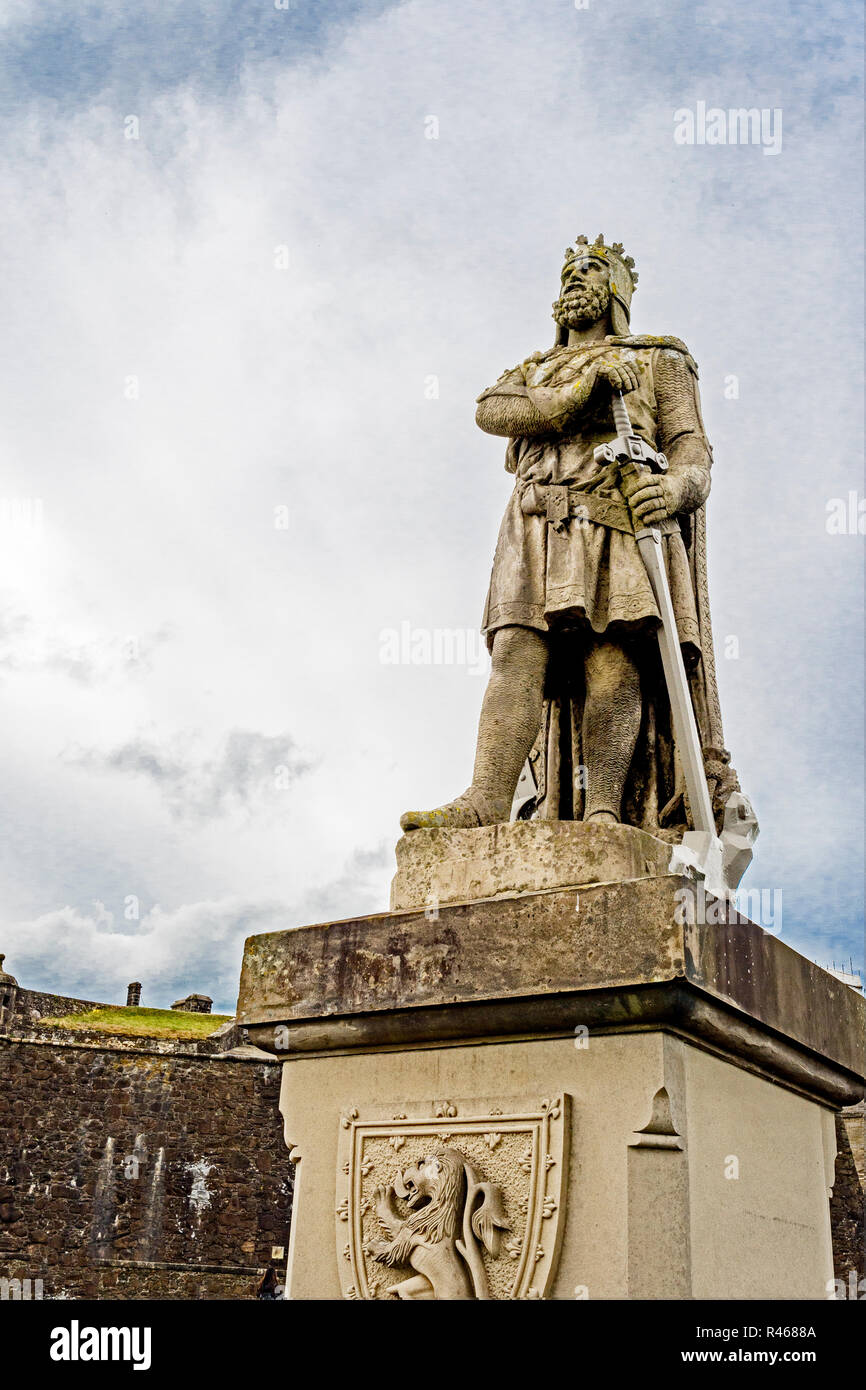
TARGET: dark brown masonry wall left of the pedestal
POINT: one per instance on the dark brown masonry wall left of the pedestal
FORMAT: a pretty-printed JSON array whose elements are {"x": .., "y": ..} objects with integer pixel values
[{"x": 134, "y": 1170}]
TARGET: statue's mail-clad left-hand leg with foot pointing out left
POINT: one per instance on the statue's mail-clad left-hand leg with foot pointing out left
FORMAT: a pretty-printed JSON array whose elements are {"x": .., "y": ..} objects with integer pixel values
[{"x": 509, "y": 722}]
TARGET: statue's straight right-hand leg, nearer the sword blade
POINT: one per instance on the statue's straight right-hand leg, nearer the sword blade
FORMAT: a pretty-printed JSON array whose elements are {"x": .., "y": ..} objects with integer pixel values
[{"x": 611, "y": 726}]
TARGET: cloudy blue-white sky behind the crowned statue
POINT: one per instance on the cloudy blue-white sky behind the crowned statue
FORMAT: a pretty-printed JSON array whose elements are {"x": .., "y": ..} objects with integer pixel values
[{"x": 258, "y": 263}]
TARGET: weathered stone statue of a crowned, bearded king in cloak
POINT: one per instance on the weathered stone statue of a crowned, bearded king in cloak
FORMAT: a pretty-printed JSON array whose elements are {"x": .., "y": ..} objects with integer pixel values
[{"x": 571, "y": 618}]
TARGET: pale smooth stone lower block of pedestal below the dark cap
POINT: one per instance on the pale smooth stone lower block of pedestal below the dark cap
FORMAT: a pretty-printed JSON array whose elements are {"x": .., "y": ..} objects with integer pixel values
[{"x": 628, "y": 1167}]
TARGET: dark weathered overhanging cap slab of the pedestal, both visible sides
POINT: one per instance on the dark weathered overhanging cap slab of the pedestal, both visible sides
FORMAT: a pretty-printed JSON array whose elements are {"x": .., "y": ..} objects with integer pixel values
[{"x": 623, "y": 956}]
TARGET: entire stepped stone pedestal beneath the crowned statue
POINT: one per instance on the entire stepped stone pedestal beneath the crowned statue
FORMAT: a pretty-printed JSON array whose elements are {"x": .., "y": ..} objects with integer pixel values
[{"x": 558, "y": 1092}]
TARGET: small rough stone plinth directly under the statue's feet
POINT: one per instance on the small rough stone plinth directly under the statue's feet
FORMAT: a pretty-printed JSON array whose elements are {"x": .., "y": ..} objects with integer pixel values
[{"x": 440, "y": 867}]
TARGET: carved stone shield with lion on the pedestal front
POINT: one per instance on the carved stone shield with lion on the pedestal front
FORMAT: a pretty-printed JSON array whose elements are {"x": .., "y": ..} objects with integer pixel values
[{"x": 452, "y": 1202}]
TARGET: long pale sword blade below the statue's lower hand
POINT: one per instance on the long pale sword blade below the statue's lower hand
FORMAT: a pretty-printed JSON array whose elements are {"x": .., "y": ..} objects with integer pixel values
[{"x": 682, "y": 708}]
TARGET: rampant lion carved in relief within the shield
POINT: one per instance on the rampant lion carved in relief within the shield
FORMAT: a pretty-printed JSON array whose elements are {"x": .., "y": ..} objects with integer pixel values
[{"x": 450, "y": 1214}]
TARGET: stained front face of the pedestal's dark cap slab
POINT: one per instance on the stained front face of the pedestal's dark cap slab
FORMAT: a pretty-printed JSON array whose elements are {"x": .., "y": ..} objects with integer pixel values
[{"x": 507, "y": 949}]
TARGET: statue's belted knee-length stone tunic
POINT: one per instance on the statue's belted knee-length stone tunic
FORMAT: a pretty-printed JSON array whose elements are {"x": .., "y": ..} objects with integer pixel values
[{"x": 585, "y": 572}]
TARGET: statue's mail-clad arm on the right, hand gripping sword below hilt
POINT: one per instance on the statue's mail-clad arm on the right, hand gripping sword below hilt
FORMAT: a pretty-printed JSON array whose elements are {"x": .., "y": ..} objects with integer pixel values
[{"x": 683, "y": 440}]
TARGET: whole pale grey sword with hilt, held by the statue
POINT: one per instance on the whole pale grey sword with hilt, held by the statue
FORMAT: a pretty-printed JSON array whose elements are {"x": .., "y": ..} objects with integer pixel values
[{"x": 703, "y": 846}]
